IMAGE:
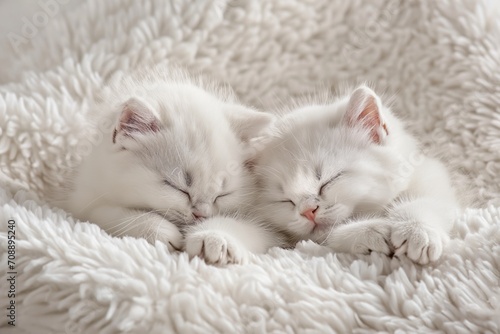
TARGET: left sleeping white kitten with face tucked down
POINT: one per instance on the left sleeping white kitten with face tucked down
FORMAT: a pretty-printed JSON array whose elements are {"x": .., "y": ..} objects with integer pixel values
[{"x": 171, "y": 159}]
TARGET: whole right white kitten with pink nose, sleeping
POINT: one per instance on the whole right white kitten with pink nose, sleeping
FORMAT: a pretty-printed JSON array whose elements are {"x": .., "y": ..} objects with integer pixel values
[{"x": 348, "y": 174}]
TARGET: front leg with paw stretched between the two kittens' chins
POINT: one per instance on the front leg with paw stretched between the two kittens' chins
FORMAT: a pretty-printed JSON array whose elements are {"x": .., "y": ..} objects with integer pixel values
[{"x": 223, "y": 240}]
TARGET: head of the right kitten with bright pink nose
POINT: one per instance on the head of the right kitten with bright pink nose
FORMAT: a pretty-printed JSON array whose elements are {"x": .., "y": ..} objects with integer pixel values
[{"x": 329, "y": 163}]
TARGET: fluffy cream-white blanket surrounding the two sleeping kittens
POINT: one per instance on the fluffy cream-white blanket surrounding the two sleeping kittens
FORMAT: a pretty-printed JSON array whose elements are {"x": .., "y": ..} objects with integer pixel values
[{"x": 440, "y": 60}]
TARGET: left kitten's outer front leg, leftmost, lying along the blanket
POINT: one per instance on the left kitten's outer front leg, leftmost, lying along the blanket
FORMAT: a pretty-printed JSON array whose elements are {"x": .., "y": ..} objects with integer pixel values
[{"x": 119, "y": 221}]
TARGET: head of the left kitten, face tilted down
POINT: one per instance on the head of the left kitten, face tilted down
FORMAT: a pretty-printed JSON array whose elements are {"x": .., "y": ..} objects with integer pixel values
[{"x": 180, "y": 151}]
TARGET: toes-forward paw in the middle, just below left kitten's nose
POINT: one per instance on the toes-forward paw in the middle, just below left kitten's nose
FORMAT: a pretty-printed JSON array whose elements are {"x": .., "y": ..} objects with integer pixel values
[{"x": 215, "y": 247}]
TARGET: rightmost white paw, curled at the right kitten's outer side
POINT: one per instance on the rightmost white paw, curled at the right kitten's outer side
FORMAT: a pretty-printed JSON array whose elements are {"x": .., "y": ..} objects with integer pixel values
[{"x": 418, "y": 242}]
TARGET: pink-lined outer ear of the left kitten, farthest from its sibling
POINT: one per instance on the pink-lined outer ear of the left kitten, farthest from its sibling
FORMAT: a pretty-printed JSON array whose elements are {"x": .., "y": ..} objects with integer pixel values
[{"x": 136, "y": 117}]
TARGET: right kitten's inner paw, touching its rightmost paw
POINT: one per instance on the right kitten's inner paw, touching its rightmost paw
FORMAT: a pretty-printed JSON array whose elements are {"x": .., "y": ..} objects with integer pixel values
[{"x": 373, "y": 239}]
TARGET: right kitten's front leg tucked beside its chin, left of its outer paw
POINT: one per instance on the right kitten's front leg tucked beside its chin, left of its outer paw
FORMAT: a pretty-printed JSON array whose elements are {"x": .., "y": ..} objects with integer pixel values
[{"x": 361, "y": 237}]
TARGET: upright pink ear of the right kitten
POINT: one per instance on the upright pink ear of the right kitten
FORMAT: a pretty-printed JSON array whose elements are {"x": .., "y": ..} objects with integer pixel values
[{"x": 364, "y": 109}]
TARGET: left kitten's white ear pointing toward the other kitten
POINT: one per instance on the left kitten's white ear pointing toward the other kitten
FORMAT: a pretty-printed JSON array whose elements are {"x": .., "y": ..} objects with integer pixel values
[{"x": 251, "y": 126}]
